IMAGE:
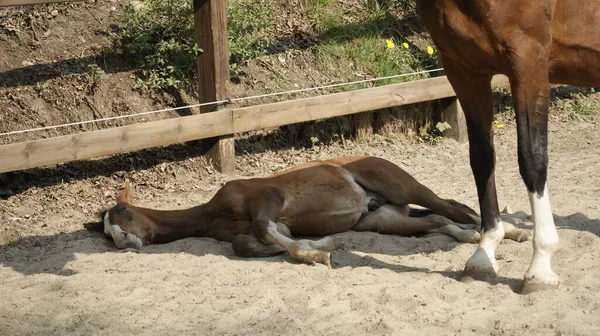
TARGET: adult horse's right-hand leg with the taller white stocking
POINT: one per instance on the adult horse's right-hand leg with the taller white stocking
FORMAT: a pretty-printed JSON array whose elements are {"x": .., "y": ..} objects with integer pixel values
[{"x": 530, "y": 89}]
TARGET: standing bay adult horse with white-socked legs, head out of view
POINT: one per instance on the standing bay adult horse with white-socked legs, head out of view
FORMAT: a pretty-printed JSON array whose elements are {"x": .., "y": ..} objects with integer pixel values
[{"x": 534, "y": 43}]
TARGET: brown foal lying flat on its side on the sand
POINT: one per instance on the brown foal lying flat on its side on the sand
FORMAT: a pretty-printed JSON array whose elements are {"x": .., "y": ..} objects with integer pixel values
[{"x": 261, "y": 215}]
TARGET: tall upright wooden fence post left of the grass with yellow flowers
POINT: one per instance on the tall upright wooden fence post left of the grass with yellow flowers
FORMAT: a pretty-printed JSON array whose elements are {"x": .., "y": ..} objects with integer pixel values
[{"x": 210, "y": 23}]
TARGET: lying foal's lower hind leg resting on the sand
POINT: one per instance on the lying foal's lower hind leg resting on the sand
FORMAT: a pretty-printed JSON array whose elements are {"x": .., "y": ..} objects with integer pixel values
[{"x": 393, "y": 219}]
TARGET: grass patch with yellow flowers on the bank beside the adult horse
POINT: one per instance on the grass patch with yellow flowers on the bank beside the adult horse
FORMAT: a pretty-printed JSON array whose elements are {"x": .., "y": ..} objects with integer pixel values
[{"x": 369, "y": 42}]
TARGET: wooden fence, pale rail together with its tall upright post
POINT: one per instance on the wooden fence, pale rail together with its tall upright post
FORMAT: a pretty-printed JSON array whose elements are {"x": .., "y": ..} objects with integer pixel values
[{"x": 221, "y": 123}]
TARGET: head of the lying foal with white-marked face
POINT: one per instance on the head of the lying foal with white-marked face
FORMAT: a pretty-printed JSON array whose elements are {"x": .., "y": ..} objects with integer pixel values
[{"x": 126, "y": 225}]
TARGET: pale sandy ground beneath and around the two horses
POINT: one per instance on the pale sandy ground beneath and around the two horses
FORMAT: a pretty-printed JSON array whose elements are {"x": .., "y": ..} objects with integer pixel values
[{"x": 58, "y": 279}]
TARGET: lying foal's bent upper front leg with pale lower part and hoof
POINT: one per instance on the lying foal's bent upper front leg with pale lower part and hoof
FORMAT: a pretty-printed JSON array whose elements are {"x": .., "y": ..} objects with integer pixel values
[{"x": 265, "y": 208}]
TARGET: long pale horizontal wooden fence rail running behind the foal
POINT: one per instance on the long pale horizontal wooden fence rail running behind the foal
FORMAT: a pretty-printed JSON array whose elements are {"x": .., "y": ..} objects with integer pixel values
[{"x": 36, "y": 153}]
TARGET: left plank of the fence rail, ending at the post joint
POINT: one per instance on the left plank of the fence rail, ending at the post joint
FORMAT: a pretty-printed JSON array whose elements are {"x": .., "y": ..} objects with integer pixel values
[{"x": 116, "y": 140}]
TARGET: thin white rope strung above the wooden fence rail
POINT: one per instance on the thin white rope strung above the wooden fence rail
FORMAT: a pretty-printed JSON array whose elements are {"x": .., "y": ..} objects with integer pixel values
[{"x": 217, "y": 102}]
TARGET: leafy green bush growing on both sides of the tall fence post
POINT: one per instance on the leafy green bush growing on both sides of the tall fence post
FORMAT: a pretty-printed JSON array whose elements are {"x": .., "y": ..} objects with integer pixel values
[{"x": 159, "y": 36}]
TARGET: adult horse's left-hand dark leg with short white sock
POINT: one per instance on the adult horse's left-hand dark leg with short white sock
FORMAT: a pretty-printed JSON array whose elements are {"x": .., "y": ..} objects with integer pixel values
[{"x": 475, "y": 95}]
